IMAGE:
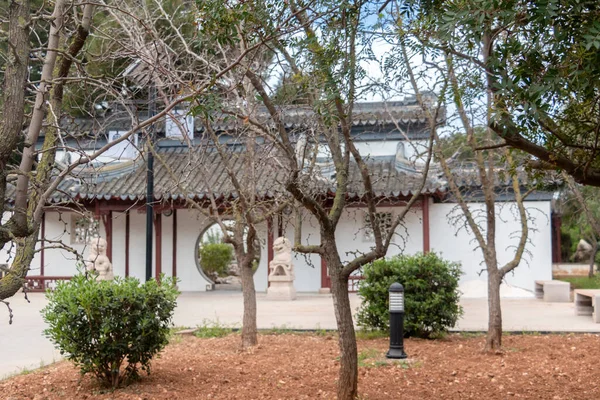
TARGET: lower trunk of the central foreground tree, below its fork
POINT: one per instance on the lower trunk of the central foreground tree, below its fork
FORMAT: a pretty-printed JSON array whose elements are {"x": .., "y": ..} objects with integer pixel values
[{"x": 348, "y": 376}]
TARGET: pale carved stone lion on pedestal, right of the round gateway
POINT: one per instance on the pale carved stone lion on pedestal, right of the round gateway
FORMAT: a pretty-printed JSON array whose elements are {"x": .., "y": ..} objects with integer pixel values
[{"x": 281, "y": 272}]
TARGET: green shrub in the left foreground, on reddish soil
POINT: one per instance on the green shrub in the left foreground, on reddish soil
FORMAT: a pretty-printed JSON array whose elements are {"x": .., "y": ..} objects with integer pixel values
[{"x": 110, "y": 328}]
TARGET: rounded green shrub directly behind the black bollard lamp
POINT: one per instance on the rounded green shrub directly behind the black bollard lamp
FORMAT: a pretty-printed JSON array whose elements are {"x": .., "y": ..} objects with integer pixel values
[{"x": 430, "y": 294}]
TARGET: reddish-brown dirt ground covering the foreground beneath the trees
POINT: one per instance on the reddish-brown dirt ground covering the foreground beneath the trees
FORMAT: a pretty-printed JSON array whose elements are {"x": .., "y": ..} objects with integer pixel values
[{"x": 300, "y": 366}]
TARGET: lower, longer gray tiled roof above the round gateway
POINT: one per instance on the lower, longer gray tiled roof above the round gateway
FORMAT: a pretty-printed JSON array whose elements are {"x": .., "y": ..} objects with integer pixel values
[{"x": 195, "y": 173}]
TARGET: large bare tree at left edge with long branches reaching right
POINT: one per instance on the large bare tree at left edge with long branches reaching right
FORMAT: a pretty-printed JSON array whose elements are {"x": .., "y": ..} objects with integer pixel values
[{"x": 84, "y": 72}]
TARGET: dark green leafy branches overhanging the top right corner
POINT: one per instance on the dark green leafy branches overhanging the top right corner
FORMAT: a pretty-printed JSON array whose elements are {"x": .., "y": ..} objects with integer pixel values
[{"x": 543, "y": 66}]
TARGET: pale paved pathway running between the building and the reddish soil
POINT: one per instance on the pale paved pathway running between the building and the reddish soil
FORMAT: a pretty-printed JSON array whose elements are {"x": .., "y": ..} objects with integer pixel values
[{"x": 22, "y": 344}]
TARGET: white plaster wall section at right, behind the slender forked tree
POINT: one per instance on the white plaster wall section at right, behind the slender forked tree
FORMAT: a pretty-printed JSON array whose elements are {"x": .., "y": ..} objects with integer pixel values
[{"x": 459, "y": 245}]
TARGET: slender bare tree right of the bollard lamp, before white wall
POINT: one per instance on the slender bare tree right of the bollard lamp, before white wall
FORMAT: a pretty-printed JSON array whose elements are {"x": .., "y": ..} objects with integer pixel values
[{"x": 470, "y": 94}]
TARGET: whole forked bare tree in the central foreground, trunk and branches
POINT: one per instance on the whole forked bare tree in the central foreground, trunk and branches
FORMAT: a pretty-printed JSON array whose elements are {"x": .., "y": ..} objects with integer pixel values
[{"x": 324, "y": 57}]
